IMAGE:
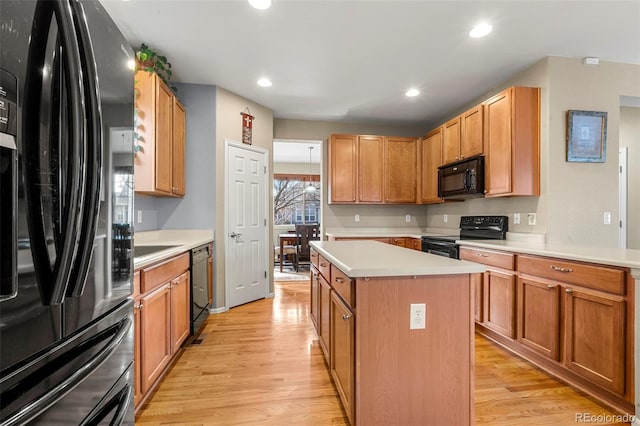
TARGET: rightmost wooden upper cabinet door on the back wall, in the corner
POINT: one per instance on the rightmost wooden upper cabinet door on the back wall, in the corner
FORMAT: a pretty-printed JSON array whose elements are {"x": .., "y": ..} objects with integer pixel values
[{"x": 400, "y": 170}]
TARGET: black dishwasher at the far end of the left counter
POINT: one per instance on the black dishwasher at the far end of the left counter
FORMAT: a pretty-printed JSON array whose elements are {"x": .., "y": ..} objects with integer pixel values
[{"x": 199, "y": 287}]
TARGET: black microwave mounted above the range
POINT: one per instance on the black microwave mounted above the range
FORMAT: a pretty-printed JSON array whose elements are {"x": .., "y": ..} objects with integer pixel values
[{"x": 464, "y": 179}]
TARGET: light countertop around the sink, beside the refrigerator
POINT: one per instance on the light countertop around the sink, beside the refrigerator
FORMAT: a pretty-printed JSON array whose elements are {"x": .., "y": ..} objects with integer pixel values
[{"x": 181, "y": 240}]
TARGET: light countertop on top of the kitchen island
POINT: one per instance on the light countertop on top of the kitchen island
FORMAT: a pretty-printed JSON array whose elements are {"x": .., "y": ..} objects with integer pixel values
[{"x": 375, "y": 259}]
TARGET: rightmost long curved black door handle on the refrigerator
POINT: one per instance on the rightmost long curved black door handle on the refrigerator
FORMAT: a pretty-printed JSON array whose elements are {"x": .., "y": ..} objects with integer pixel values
[{"x": 90, "y": 194}]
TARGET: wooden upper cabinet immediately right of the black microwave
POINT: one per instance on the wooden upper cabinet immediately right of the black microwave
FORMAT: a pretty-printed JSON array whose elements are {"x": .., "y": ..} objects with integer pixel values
[{"x": 512, "y": 141}]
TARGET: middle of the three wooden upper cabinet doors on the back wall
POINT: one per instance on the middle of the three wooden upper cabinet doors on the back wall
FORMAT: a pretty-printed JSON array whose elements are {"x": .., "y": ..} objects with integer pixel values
[{"x": 370, "y": 169}]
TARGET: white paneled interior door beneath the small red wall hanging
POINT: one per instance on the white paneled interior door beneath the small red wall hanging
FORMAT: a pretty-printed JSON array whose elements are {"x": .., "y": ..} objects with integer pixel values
[{"x": 246, "y": 224}]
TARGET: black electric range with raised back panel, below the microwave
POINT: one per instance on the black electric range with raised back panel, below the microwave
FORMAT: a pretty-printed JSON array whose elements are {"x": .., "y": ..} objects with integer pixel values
[{"x": 471, "y": 228}]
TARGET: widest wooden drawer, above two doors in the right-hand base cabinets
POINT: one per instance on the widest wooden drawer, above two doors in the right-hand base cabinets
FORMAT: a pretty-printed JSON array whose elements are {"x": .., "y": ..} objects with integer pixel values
[{"x": 591, "y": 276}]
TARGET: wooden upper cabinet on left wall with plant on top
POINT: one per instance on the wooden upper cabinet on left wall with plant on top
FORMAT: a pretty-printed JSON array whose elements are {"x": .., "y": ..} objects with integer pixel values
[{"x": 159, "y": 166}]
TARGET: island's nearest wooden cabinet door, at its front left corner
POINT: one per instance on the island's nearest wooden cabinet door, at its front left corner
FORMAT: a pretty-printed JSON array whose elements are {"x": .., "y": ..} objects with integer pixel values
[{"x": 342, "y": 353}]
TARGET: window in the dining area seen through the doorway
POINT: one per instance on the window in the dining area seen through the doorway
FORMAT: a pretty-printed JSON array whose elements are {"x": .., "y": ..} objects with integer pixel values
[{"x": 292, "y": 203}]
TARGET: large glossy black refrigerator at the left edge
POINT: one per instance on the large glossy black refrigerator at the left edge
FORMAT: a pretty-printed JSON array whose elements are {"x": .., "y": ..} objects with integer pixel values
[{"x": 66, "y": 208}]
